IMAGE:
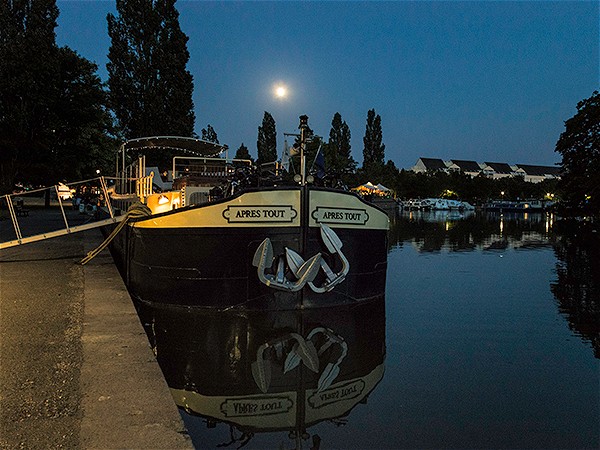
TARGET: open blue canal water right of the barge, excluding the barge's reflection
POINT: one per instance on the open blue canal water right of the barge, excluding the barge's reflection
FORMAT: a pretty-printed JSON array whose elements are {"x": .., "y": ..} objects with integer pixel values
[{"x": 491, "y": 338}]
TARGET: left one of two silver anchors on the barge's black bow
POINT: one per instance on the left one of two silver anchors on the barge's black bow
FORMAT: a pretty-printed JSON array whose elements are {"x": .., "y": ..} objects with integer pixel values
[{"x": 305, "y": 272}]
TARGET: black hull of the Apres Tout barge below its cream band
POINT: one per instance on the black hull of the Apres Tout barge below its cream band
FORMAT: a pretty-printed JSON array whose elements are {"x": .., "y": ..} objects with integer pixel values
[{"x": 212, "y": 266}]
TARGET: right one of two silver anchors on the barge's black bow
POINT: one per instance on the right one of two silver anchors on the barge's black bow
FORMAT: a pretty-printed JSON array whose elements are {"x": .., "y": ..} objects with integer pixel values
[{"x": 334, "y": 245}]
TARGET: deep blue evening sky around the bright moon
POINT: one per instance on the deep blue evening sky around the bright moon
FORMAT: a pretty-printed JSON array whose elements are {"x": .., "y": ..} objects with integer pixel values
[{"x": 476, "y": 80}]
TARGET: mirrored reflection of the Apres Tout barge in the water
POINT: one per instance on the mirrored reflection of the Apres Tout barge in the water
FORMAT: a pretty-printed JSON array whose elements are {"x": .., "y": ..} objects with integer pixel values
[{"x": 269, "y": 371}]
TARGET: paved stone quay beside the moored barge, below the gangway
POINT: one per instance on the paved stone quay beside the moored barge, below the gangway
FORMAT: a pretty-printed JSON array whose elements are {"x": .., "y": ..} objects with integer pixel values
[{"x": 76, "y": 369}]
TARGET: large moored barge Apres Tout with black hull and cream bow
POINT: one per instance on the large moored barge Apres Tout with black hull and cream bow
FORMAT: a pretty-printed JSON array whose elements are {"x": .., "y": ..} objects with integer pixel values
[{"x": 227, "y": 235}]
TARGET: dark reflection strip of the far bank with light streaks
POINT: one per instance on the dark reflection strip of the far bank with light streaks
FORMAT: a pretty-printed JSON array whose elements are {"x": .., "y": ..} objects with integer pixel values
[{"x": 434, "y": 231}]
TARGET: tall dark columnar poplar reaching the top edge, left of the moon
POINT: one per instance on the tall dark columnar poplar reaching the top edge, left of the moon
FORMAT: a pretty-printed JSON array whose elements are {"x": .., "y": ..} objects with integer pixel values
[{"x": 150, "y": 87}]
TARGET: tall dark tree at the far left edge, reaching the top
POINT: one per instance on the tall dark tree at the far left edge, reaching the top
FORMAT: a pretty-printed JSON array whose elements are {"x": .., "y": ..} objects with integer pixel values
[{"x": 28, "y": 86}]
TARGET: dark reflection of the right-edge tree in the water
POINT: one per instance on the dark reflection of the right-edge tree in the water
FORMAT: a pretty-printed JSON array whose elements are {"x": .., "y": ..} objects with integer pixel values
[{"x": 577, "y": 287}]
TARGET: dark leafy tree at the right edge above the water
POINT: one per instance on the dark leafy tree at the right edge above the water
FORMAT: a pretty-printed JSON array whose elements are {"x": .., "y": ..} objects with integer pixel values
[{"x": 579, "y": 146}]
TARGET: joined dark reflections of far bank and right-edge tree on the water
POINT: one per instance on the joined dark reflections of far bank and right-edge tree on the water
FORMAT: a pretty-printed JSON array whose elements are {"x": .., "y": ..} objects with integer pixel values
[{"x": 576, "y": 246}]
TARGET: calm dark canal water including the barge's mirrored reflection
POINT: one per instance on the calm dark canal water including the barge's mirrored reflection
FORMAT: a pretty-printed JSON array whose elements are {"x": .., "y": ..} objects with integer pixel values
[{"x": 488, "y": 337}]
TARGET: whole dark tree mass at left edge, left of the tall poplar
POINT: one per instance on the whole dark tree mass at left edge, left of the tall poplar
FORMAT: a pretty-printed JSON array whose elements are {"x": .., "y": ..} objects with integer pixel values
[{"x": 54, "y": 124}]
